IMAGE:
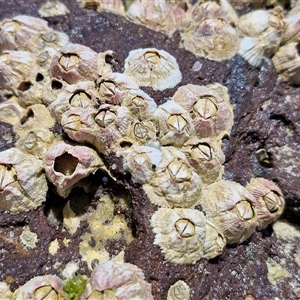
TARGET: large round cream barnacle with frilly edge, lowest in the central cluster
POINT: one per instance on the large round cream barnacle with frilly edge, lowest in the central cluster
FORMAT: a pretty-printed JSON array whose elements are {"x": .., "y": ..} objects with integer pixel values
[{"x": 180, "y": 233}]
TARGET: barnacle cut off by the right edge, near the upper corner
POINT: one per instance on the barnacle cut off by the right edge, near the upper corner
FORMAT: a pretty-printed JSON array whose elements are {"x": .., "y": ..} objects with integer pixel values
[{"x": 287, "y": 63}]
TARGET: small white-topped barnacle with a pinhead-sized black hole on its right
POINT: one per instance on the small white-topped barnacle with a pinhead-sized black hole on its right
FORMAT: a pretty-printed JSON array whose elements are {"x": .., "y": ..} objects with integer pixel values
[{"x": 141, "y": 162}]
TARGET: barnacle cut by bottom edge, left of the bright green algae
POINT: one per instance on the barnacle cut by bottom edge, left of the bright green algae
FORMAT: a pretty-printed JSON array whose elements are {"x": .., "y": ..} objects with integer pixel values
[{"x": 48, "y": 287}]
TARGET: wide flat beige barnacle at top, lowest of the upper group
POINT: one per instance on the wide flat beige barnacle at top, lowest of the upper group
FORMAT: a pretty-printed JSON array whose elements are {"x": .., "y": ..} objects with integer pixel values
[{"x": 213, "y": 39}]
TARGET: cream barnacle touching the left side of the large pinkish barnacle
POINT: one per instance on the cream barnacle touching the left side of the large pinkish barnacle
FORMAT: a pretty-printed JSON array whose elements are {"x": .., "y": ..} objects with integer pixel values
[{"x": 174, "y": 124}]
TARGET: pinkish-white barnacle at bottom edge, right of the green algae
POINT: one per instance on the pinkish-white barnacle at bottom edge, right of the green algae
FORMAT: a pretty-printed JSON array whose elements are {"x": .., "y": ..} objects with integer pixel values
[{"x": 111, "y": 280}]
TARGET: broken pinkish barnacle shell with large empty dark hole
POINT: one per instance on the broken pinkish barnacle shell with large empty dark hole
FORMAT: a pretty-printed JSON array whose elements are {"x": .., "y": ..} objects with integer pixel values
[{"x": 65, "y": 165}]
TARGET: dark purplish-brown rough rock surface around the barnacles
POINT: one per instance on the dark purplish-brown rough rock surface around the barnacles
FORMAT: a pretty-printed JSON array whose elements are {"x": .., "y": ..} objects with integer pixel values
[{"x": 264, "y": 142}]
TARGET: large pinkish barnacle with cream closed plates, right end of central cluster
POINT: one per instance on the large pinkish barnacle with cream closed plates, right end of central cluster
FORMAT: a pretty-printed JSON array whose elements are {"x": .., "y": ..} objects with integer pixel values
[{"x": 212, "y": 114}]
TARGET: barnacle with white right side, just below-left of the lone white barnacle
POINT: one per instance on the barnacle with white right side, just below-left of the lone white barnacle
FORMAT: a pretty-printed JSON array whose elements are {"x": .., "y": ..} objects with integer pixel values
[{"x": 114, "y": 88}]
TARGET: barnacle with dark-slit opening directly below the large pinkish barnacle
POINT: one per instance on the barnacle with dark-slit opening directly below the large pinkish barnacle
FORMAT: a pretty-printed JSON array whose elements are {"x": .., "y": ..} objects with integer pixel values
[{"x": 206, "y": 157}]
